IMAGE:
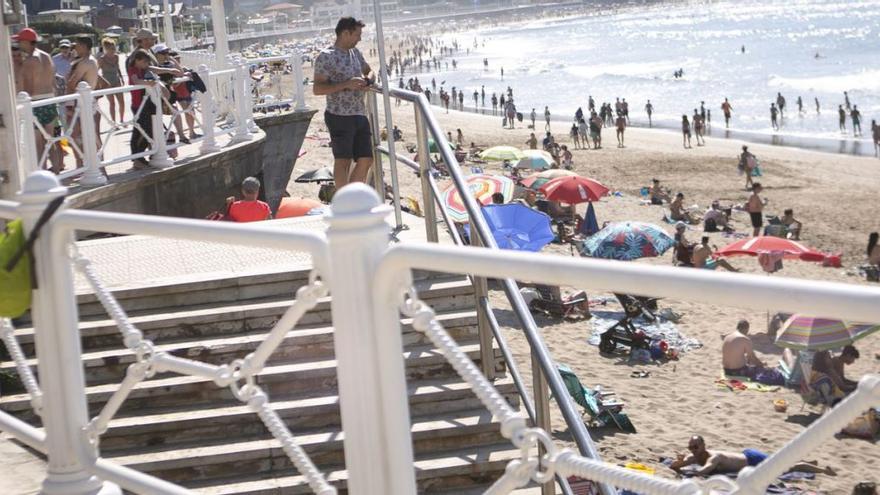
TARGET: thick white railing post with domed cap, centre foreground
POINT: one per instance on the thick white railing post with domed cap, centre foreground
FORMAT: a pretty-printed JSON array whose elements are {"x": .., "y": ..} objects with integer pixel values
[{"x": 368, "y": 345}]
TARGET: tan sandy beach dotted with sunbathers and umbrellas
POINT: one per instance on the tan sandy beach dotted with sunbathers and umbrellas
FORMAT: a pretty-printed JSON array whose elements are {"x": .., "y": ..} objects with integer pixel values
[{"x": 834, "y": 195}]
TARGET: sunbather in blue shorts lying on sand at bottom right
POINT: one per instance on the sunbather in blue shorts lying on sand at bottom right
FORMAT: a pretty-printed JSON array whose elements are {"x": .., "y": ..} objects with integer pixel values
[{"x": 716, "y": 461}]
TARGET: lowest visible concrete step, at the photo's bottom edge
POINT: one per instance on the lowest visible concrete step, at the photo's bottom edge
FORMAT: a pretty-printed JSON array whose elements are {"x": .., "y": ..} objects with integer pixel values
[{"x": 465, "y": 468}]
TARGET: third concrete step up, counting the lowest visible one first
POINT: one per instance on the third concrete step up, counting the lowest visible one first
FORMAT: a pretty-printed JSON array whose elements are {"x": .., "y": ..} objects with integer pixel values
[{"x": 213, "y": 423}]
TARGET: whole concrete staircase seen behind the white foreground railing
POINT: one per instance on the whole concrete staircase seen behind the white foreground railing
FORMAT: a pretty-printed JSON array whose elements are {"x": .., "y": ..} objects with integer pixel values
[{"x": 187, "y": 430}]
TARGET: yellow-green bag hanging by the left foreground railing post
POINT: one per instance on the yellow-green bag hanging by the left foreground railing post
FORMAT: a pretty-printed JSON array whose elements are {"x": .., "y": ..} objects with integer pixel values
[{"x": 15, "y": 272}]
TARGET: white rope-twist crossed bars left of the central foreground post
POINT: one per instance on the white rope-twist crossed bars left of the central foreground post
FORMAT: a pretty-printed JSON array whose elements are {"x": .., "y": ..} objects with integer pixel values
[{"x": 150, "y": 361}]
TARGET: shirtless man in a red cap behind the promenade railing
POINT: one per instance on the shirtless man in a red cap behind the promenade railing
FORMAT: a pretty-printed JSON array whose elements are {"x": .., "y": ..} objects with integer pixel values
[{"x": 36, "y": 77}]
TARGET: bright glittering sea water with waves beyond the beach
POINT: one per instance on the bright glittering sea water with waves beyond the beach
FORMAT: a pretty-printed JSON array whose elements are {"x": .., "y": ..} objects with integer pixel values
[{"x": 633, "y": 53}]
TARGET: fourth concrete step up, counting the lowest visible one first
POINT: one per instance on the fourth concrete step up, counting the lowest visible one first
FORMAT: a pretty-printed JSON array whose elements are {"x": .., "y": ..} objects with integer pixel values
[{"x": 311, "y": 378}]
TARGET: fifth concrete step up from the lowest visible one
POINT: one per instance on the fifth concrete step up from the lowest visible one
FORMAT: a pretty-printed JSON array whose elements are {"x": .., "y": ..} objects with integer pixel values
[{"x": 106, "y": 366}]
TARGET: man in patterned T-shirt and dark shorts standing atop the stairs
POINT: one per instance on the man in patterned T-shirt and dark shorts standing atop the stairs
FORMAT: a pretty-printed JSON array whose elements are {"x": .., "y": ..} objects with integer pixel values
[{"x": 341, "y": 74}]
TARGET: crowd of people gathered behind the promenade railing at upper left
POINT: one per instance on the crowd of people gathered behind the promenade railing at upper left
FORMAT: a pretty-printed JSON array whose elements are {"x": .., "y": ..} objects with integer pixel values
[{"x": 149, "y": 64}]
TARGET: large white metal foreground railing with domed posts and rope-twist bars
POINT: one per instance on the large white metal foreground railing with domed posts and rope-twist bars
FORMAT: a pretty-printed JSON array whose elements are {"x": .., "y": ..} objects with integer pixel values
[{"x": 368, "y": 280}]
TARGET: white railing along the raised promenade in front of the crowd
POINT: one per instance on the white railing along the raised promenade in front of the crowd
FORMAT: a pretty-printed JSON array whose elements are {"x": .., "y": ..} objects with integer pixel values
[{"x": 83, "y": 147}]
